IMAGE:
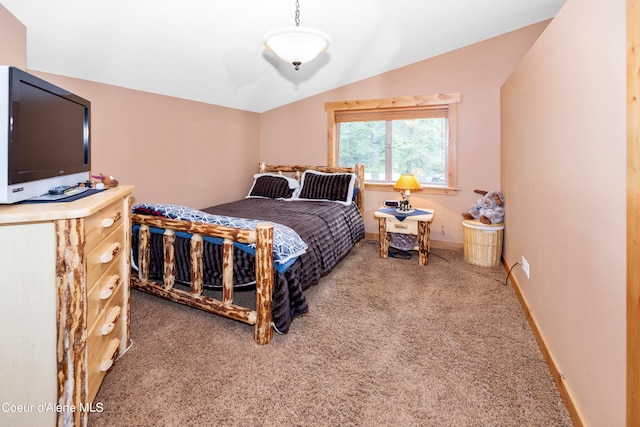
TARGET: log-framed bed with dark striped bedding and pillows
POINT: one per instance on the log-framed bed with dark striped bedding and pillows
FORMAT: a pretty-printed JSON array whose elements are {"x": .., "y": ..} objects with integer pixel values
[{"x": 293, "y": 227}]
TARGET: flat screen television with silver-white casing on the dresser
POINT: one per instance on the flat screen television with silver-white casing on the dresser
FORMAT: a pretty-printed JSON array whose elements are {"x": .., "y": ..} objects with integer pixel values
[{"x": 44, "y": 136}]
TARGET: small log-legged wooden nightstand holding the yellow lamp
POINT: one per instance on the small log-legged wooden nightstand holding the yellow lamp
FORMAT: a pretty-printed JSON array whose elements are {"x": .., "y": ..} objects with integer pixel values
[{"x": 416, "y": 223}]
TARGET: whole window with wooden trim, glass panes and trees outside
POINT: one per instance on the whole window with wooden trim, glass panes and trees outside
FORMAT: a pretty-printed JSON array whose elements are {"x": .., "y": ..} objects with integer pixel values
[{"x": 398, "y": 135}]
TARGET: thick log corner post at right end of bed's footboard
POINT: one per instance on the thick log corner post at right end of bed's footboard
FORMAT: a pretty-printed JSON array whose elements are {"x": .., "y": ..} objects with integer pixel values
[{"x": 264, "y": 283}]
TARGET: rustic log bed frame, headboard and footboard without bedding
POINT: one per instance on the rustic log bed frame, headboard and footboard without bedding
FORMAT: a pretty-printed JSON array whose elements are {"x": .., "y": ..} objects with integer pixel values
[{"x": 262, "y": 237}]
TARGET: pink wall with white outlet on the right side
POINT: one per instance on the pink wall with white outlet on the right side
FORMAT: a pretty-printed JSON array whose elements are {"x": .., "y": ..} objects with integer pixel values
[{"x": 563, "y": 173}]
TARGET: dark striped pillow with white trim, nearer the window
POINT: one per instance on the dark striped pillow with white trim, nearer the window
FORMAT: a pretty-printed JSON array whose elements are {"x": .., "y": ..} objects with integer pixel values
[{"x": 335, "y": 187}]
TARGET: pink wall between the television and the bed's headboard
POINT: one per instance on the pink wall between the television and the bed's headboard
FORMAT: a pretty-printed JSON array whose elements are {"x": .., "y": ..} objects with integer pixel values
[{"x": 172, "y": 150}]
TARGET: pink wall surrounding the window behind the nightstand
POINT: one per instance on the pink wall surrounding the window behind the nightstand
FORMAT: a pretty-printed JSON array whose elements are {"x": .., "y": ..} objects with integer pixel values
[{"x": 297, "y": 133}]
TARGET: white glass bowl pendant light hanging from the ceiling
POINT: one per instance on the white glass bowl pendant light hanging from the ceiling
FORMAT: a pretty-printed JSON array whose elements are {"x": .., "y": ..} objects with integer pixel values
[{"x": 296, "y": 45}]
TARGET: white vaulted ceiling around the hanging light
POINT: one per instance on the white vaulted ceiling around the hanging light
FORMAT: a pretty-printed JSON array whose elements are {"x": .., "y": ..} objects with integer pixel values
[{"x": 211, "y": 51}]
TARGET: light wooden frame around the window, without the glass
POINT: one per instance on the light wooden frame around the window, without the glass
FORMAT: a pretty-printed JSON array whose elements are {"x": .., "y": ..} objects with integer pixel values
[{"x": 399, "y": 108}]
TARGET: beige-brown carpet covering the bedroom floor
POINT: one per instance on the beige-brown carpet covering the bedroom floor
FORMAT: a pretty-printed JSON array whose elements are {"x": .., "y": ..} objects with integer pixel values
[{"x": 386, "y": 343}]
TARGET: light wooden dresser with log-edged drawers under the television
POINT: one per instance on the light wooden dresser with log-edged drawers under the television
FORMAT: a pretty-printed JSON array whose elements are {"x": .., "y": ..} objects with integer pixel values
[{"x": 64, "y": 305}]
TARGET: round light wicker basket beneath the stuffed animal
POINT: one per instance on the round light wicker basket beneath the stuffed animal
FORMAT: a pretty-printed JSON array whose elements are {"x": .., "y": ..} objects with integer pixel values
[{"x": 482, "y": 243}]
